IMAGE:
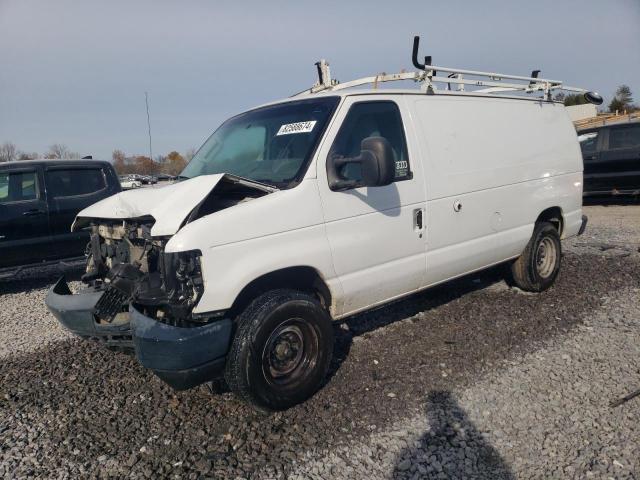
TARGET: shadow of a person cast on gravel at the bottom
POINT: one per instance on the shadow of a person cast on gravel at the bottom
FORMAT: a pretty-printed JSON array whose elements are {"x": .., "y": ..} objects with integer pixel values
[{"x": 451, "y": 448}]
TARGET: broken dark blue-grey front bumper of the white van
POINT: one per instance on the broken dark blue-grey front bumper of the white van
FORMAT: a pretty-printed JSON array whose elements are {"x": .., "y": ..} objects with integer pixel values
[{"x": 182, "y": 357}]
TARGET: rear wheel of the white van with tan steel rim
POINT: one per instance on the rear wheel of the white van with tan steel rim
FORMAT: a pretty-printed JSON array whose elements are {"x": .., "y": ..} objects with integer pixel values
[{"x": 538, "y": 266}]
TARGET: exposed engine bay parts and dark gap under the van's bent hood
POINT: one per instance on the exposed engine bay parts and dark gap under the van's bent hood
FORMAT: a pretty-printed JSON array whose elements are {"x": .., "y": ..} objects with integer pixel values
[{"x": 131, "y": 266}]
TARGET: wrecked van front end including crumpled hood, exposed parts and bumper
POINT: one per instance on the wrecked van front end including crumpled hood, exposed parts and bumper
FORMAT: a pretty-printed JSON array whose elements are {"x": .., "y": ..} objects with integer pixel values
[{"x": 140, "y": 297}]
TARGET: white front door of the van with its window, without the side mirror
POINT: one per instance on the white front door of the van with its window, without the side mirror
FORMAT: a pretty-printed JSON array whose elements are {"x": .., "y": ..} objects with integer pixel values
[{"x": 375, "y": 233}]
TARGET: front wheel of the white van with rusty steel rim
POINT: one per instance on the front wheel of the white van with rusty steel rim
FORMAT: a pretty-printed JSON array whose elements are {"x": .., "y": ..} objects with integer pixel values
[{"x": 281, "y": 350}]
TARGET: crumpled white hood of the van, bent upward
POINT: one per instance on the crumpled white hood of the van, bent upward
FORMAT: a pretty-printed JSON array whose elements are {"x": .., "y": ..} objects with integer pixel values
[{"x": 169, "y": 205}]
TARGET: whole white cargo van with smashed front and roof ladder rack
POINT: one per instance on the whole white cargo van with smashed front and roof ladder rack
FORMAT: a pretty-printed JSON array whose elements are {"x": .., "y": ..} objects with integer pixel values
[{"x": 322, "y": 205}]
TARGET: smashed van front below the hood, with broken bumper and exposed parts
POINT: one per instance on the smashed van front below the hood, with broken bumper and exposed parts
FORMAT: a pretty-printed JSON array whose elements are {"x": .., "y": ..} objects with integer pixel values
[{"x": 141, "y": 298}]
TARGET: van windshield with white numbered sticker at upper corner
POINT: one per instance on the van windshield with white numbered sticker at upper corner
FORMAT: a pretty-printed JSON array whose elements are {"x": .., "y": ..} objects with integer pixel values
[{"x": 271, "y": 145}]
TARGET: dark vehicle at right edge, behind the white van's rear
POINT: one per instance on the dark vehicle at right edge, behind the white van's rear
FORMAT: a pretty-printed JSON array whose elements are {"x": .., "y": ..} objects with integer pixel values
[{"x": 611, "y": 157}]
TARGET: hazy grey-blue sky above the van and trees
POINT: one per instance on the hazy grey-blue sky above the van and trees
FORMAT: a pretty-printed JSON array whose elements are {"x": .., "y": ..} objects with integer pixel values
[{"x": 75, "y": 72}]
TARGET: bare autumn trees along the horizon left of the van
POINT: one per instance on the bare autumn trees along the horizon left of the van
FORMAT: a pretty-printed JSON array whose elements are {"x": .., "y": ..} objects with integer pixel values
[{"x": 172, "y": 163}]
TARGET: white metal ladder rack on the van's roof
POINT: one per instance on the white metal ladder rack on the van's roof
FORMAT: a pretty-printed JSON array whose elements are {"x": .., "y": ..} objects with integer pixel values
[{"x": 427, "y": 76}]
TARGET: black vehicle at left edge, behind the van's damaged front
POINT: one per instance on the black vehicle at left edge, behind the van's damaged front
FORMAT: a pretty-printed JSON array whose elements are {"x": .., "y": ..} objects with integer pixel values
[{"x": 39, "y": 200}]
